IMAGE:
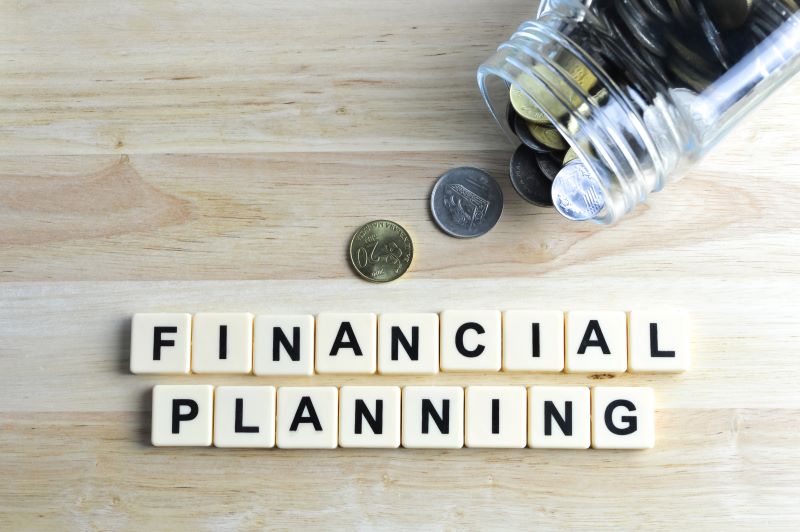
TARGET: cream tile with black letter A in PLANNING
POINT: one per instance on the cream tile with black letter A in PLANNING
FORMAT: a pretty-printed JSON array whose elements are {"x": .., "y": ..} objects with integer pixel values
[{"x": 308, "y": 417}]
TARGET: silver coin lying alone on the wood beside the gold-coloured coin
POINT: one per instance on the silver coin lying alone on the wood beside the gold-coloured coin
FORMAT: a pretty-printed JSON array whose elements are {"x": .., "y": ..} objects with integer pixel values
[{"x": 466, "y": 202}]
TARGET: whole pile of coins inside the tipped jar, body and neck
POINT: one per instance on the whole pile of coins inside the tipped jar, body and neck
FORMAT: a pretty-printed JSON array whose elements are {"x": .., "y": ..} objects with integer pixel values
[{"x": 648, "y": 47}]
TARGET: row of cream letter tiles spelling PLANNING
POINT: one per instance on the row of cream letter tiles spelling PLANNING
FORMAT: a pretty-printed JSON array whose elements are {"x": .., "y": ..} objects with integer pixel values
[{"x": 556, "y": 417}]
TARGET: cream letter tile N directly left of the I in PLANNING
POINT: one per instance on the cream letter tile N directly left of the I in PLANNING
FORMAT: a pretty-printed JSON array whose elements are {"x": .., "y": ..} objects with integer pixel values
[{"x": 433, "y": 417}]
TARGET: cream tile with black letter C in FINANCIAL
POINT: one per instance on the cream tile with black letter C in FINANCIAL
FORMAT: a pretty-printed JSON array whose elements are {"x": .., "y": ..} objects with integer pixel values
[{"x": 471, "y": 340}]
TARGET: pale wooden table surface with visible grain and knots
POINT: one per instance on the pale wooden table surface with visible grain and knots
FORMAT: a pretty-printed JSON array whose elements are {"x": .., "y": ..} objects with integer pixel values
[{"x": 197, "y": 156}]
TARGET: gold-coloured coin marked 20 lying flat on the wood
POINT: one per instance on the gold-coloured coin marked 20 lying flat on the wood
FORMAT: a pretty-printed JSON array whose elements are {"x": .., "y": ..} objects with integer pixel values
[{"x": 381, "y": 251}]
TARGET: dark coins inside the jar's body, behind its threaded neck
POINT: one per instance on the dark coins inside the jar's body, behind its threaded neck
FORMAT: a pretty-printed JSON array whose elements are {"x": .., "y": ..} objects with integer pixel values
[{"x": 680, "y": 43}]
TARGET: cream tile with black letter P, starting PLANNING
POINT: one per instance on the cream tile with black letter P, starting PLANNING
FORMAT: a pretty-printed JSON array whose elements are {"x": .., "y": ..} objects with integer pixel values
[{"x": 182, "y": 415}]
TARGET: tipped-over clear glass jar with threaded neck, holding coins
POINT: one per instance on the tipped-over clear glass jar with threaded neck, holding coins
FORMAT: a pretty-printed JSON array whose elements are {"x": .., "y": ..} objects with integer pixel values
[{"x": 640, "y": 89}]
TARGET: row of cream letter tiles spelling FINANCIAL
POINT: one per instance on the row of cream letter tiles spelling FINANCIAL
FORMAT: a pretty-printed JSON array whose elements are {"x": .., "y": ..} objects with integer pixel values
[{"x": 411, "y": 344}]
